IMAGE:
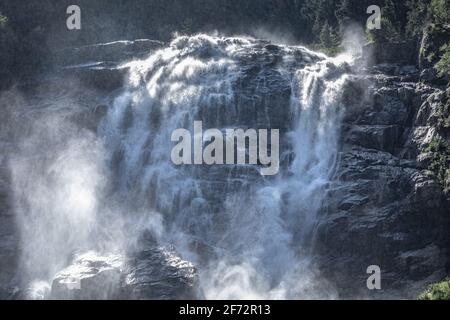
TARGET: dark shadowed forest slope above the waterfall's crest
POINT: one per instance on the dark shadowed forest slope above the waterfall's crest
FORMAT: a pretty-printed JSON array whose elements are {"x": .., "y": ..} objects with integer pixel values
[{"x": 38, "y": 26}]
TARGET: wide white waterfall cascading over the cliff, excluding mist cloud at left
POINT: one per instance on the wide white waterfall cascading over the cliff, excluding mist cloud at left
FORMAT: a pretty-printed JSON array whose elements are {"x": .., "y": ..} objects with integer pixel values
[{"x": 249, "y": 236}]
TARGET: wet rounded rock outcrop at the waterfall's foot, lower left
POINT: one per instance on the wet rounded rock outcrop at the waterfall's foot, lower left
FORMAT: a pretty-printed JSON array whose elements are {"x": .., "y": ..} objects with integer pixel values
[{"x": 155, "y": 273}]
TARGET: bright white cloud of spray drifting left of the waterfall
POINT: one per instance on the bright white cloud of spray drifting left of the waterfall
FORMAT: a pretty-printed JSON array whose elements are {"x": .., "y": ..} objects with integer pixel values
[{"x": 57, "y": 176}]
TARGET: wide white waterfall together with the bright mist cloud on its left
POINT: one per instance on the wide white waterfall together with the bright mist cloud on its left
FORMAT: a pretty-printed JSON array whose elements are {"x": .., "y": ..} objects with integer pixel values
[{"x": 249, "y": 237}]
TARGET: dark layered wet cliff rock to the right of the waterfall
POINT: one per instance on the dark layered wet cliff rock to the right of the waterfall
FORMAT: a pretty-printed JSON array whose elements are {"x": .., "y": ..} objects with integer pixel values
[{"x": 384, "y": 207}]
